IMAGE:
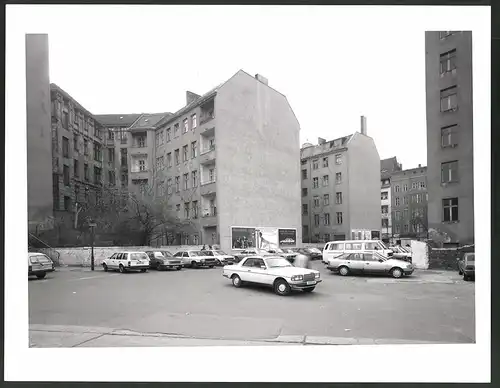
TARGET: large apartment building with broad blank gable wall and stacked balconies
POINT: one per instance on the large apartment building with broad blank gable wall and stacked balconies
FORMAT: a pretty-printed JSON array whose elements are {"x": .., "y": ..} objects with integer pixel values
[{"x": 227, "y": 163}]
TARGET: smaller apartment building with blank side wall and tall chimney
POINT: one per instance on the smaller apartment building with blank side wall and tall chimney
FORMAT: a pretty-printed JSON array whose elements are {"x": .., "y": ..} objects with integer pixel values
[{"x": 340, "y": 188}]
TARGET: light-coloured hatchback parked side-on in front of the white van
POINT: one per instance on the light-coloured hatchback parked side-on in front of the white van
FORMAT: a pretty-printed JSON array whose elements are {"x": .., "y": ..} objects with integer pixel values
[{"x": 371, "y": 263}]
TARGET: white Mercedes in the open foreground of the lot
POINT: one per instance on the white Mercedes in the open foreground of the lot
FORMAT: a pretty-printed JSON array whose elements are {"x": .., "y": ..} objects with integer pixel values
[{"x": 273, "y": 271}]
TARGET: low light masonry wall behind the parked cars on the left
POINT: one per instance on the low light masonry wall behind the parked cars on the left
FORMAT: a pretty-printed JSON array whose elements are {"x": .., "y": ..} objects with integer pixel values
[{"x": 82, "y": 256}]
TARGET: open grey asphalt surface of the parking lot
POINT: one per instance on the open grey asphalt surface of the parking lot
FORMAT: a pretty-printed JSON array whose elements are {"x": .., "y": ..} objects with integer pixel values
[{"x": 200, "y": 303}]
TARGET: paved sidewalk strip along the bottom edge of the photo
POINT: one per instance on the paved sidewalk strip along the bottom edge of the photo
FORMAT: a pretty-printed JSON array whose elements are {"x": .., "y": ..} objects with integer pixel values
[{"x": 56, "y": 336}]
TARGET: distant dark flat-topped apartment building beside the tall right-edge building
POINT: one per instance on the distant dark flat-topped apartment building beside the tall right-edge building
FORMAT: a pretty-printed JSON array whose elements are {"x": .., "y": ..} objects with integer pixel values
[{"x": 409, "y": 203}]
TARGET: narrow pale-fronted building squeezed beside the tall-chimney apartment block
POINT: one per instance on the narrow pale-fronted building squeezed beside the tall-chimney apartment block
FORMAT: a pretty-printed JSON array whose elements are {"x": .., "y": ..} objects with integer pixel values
[{"x": 387, "y": 168}]
